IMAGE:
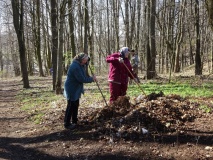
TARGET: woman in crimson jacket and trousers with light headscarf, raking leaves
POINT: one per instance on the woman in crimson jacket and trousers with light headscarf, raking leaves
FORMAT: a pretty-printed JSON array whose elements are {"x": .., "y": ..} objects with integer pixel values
[{"x": 118, "y": 73}]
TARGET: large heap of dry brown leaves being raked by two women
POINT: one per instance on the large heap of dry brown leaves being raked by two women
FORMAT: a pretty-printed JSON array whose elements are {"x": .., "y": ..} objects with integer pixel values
[{"x": 146, "y": 115}]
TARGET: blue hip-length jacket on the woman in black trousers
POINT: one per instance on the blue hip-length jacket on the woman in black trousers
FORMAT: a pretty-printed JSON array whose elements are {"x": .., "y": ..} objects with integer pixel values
[{"x": 76, "y": 76}]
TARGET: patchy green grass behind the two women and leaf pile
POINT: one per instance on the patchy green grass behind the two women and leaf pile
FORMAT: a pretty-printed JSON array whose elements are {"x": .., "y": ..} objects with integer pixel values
[{"x": 40, "y": 97}]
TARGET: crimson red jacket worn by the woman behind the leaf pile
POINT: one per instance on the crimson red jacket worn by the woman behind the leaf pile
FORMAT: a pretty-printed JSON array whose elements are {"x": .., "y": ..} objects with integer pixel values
[{"x": 118, "y": 73}]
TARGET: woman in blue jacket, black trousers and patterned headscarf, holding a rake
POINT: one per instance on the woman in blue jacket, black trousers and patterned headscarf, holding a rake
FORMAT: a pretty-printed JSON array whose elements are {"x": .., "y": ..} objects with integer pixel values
[{"x": 73, "y": 88}]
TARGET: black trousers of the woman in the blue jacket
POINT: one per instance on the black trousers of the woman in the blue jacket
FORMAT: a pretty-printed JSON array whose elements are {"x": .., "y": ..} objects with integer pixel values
[{"x": 71, "y": 112}]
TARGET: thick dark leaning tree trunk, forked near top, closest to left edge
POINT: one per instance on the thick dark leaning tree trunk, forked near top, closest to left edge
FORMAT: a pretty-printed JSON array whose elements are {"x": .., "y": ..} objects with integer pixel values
[{"x": 18, "y": 16}]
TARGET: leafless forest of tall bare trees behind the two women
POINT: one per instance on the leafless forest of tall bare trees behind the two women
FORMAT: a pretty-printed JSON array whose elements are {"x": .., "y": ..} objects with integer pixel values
[{"x": 169, "y": 35}]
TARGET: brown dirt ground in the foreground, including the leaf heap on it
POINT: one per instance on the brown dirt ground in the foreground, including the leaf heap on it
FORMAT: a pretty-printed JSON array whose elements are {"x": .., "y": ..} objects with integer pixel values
[{"x": 177, "y": 130}]
